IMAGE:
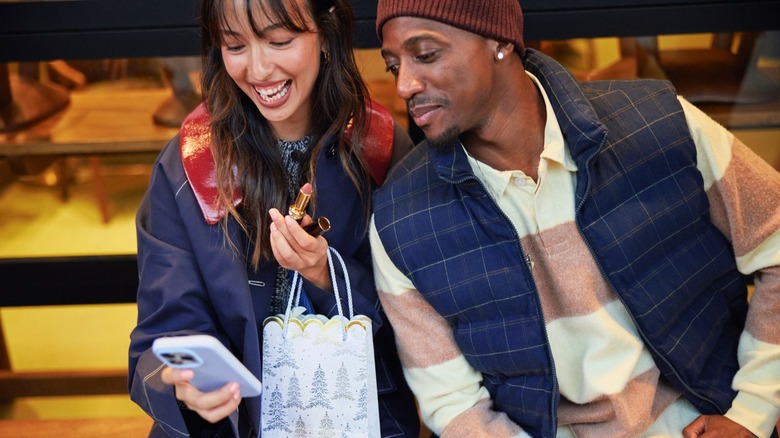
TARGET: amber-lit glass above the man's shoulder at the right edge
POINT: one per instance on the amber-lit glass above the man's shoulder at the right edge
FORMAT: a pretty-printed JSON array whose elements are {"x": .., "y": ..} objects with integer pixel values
[{"x": 733, "y": 77}]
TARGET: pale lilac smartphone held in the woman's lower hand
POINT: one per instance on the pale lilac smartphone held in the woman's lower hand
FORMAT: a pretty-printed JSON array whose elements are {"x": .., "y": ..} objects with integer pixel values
[{"x": 213, "y": 364}]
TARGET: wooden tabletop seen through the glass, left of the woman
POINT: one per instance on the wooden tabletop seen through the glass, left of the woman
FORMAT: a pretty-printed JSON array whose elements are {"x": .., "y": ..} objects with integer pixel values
[{"x": 95, "y": 122}]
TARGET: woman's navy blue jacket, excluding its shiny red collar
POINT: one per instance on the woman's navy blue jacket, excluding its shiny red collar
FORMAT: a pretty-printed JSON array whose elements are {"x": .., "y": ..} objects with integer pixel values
[{"x": 192, "y": 282}]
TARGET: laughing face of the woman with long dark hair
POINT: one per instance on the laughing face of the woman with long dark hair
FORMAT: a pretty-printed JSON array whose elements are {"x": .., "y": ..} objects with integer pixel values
[{"x": 277, "y": 69}]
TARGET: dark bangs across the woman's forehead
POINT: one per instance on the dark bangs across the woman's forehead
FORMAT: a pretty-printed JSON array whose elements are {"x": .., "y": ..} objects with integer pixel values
[{"x": 288, "y": 14}]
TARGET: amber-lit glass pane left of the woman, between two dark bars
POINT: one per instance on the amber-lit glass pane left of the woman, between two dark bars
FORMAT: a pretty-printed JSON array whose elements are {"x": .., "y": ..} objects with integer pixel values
[{"x": 78, "y": 138}]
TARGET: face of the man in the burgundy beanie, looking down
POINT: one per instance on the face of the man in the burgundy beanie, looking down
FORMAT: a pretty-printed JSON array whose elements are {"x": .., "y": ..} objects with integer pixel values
[{"x": 444, "y": 74}]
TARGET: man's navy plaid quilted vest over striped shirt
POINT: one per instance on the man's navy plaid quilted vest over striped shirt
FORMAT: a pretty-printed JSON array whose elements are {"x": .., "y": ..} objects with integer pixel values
[{"x": 640, "y": 206}]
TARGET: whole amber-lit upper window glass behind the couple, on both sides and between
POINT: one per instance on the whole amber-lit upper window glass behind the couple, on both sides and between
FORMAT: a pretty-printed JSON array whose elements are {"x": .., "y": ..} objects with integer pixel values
[{"x": 88, "y": 130}]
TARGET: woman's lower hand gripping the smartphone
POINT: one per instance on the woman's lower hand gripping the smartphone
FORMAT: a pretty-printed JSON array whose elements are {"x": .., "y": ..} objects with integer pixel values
[{"x": 211, "y": 406}]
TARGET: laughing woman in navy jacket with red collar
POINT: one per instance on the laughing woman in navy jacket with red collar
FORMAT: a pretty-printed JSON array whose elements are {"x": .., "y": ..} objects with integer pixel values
[{"x": 284, "y": 106}]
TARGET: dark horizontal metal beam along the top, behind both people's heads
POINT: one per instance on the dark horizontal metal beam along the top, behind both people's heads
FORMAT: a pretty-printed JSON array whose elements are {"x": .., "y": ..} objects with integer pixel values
[{"x": 88, "y": 29}]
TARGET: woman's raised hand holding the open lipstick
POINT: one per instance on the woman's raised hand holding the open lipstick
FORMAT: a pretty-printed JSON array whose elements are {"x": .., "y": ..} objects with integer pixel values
[{"x": 295, "y": 249}]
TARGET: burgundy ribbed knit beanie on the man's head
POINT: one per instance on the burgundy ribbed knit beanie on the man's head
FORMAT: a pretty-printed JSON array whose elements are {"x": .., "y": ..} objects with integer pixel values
[{"x": 501, "y": 20}]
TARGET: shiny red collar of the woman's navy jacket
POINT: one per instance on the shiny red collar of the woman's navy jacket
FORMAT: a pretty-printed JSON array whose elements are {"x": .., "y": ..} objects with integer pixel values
[{"x": 200, "y": 168}]
